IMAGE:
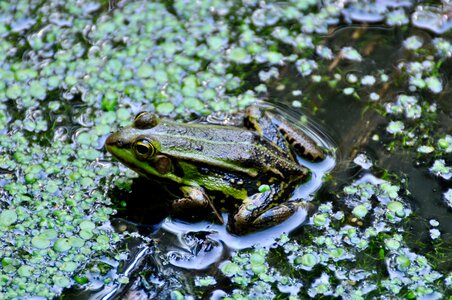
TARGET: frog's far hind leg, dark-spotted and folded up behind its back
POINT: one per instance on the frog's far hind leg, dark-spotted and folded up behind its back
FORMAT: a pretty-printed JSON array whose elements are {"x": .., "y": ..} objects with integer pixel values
[{"x": 267, "y": 123}]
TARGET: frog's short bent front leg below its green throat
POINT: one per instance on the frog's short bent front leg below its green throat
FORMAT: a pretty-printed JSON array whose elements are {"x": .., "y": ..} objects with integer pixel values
[{"x": 195, "y": 200}]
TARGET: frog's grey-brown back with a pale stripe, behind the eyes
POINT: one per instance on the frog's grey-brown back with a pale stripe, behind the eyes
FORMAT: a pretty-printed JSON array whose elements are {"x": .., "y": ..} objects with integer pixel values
[{"x": 230, "y": 147}]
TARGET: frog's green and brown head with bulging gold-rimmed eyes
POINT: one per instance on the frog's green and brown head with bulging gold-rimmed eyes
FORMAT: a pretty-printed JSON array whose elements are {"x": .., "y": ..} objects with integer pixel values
[{"x": 136, "y": 147}]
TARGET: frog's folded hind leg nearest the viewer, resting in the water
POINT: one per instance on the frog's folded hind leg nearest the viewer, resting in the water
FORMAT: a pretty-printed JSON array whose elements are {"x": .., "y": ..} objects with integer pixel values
[{"x": 257, "y": 213}]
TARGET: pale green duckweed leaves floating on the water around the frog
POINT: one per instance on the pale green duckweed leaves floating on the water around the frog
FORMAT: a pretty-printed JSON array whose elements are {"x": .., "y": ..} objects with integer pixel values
[{"x": 81, "y": 72}]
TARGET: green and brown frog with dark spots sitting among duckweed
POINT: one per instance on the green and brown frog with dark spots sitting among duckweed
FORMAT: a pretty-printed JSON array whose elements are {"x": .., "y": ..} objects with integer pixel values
[{"x": 248, "y": 159}]
